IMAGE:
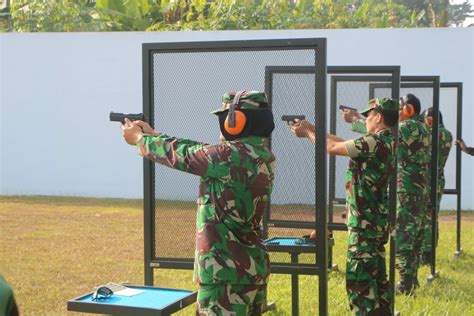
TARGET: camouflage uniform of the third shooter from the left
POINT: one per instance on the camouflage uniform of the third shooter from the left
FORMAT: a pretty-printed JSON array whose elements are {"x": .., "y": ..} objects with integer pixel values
[{"x": 412, "y": 179}]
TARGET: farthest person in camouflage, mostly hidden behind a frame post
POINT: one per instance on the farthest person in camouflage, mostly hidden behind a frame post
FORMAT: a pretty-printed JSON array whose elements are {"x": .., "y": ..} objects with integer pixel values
[{"x": 445, "y": 144}]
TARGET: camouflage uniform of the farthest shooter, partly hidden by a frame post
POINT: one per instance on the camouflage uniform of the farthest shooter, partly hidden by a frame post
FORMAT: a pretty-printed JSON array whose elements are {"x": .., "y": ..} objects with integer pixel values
[{"x": 445, "y": 144}]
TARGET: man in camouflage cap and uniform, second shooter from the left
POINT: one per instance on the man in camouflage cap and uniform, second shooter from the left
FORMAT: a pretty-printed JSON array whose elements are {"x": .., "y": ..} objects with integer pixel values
[{"x": 367, "y": 178}]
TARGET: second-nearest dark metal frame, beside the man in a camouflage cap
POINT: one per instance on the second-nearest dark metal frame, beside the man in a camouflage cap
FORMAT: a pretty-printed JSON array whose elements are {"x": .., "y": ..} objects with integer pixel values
[{"x": 390, "y": 74}]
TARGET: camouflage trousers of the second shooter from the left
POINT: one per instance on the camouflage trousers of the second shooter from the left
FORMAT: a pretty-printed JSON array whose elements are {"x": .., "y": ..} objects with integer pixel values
[{"x": 366, "y": 277}]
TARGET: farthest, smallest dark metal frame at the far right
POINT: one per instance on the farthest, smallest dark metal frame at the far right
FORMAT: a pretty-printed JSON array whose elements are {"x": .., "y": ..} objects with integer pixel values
[{"x": 459, "y": 105}]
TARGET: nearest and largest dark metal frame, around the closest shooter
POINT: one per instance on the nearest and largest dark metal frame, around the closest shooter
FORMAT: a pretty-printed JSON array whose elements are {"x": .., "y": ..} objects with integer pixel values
[{"x": 283, "y": 46}]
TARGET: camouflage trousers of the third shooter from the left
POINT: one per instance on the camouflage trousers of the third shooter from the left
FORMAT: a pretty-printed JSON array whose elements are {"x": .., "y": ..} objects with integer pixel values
[{"x": 411, "y": 216}]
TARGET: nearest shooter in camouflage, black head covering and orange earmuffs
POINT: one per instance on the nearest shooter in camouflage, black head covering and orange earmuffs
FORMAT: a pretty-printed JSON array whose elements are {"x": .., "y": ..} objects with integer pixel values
[{"x": 231, "y": 262}]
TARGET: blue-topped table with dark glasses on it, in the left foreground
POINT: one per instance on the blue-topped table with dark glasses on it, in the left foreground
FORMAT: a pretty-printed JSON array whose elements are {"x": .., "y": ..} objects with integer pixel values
[{"x": 154, "y": 301}]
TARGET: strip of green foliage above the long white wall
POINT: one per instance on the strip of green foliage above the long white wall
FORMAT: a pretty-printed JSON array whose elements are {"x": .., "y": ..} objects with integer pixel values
[{"x": 178, "y": 15}]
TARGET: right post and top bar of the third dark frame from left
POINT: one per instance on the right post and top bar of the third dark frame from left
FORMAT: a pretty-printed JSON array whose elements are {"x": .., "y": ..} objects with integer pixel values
[{"x": 434, "y": 83}]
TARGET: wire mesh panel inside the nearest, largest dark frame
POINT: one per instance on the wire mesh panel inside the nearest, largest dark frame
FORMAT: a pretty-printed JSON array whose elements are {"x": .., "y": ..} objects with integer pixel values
[{"x": 186, "y": 87}]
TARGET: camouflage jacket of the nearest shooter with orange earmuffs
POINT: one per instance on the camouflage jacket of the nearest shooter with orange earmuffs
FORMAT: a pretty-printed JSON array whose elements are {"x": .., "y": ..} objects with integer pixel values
[{"x": 235, "y": 187}]
